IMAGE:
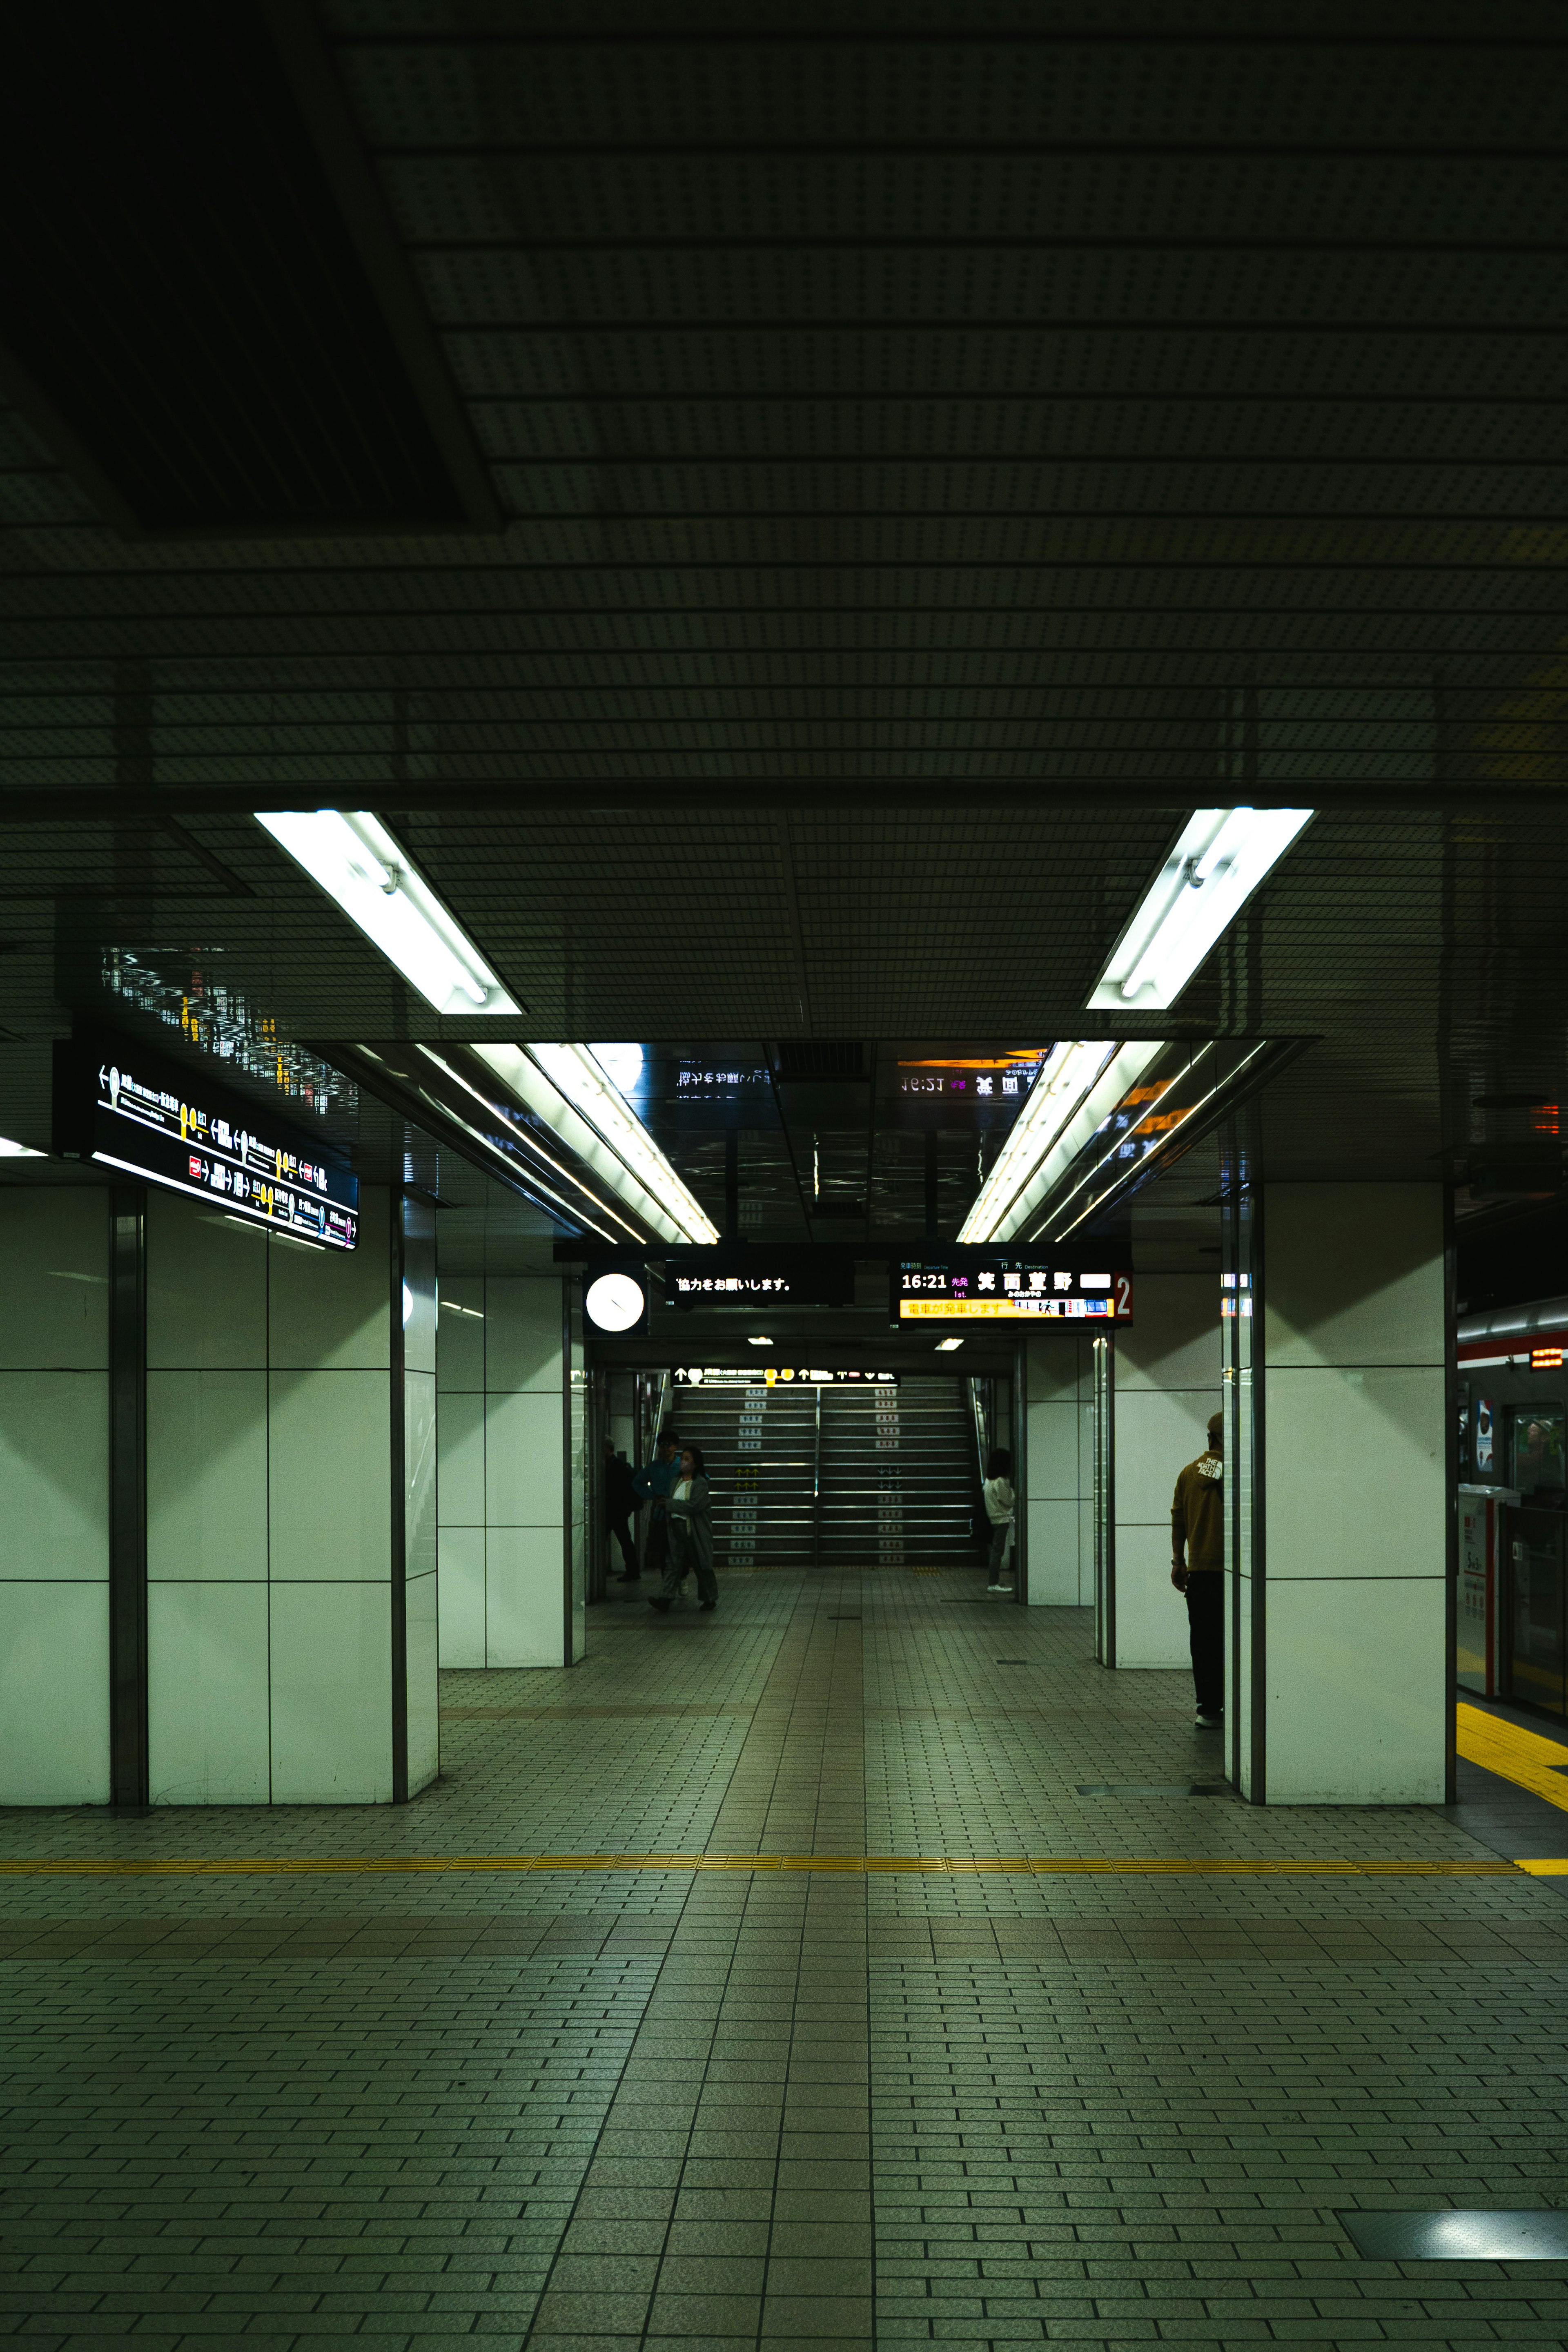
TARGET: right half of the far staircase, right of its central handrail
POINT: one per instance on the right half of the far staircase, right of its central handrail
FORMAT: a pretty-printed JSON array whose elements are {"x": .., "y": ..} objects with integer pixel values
[{"x": 899, "y": 1483}]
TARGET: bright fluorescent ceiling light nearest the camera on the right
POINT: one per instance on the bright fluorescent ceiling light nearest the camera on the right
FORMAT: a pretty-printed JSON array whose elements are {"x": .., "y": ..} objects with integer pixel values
[{"x": 1214, "y": 869}]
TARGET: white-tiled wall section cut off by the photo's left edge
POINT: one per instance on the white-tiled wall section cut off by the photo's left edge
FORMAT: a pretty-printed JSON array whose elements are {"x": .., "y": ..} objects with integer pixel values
[{"x": 55, "y": 1495}]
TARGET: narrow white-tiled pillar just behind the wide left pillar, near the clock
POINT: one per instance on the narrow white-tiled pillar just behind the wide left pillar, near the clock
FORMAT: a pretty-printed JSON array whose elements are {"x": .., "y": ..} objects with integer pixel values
[{"x": 502, "y": 1443}]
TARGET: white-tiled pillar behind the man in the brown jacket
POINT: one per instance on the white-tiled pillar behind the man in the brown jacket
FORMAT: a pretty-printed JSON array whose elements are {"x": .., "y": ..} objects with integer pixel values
[{"x": 1167, "y": 1389}]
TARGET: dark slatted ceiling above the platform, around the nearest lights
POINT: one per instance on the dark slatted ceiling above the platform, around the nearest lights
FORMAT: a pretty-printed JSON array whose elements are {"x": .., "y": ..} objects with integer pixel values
[{"x": 939, "y": 448}]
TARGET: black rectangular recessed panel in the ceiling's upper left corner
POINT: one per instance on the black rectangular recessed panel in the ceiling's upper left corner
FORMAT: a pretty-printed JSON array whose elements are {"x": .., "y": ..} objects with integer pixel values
[{"x": 182, "y": 290}]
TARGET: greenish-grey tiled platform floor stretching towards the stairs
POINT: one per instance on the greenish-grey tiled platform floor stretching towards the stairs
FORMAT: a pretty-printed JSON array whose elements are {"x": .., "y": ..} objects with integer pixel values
[{"x": 923, "y": 1998}]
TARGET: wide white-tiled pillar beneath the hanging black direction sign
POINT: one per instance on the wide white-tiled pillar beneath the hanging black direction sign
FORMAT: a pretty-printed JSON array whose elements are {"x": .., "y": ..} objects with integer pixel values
[{"x": 290, "y": 1514}]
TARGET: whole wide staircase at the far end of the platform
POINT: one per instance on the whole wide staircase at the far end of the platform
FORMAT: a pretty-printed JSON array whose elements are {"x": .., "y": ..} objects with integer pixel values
[{"x": 862, "y": 1478}]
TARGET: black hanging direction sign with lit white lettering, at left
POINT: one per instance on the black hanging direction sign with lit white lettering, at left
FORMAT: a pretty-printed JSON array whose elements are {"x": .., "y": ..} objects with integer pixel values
[{"x": 166, "y": 1125}]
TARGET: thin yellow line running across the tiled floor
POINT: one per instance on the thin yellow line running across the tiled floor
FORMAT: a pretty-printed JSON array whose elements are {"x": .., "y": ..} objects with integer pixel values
[{"x": 859, "y": 1864}]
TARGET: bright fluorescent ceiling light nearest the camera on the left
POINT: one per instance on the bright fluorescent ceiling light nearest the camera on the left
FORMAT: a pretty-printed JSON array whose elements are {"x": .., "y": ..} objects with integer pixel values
[{"x": 370, "y": 876}]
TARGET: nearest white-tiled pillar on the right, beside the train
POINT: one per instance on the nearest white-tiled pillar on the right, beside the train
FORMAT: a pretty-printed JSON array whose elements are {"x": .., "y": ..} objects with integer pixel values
[{"x": 1339, "y": 1685}]
